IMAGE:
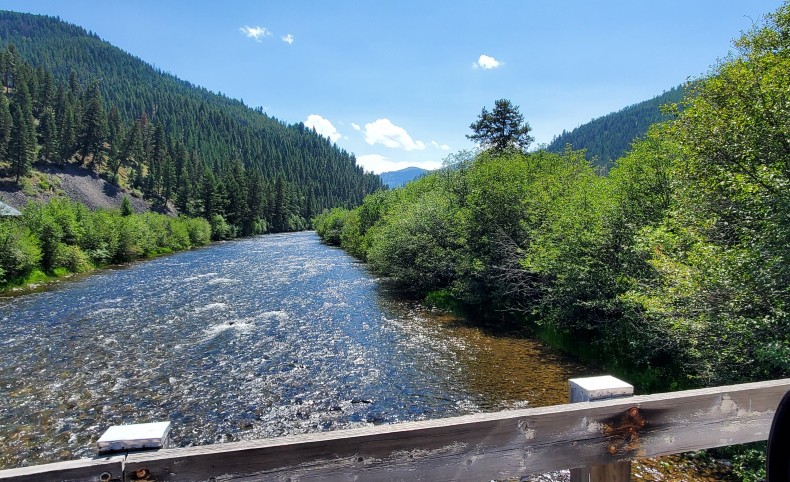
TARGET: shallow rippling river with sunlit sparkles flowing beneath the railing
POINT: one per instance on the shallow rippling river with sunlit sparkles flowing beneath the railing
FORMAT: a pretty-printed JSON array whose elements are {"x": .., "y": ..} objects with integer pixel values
[{"x": 262, "y": 337}]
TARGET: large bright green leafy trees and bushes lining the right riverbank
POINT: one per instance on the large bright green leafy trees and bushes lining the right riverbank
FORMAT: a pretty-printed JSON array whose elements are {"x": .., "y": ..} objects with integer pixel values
[{"x": 675, "y": 267}]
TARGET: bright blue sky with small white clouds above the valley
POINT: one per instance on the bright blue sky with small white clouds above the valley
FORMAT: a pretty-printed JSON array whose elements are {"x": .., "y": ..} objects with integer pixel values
[{"x": 398, "y": 82}]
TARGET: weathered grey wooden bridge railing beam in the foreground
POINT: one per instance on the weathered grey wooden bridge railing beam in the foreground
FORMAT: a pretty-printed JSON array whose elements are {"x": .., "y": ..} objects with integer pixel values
[{"x": 474, "y": 447}]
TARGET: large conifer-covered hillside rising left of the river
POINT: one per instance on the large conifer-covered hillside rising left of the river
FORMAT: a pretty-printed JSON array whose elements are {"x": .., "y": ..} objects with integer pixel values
[{"x": 173, "y": 141}]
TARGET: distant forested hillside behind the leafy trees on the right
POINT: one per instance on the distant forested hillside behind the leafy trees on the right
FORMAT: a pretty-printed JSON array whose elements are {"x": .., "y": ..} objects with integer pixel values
[{"x": 609, "y": 137}]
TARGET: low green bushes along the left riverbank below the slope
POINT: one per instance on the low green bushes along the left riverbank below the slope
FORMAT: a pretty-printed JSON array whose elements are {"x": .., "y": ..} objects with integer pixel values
[{"x": 63, "y": 237}]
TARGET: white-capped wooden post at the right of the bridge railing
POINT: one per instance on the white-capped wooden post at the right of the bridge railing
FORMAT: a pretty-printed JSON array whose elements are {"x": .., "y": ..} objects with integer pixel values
[{"x": 589, "y": 390}]
